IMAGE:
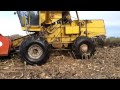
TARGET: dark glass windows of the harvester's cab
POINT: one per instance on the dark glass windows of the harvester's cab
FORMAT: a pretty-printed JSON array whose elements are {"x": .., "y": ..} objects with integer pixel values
[{"x": 32, "y": 17}]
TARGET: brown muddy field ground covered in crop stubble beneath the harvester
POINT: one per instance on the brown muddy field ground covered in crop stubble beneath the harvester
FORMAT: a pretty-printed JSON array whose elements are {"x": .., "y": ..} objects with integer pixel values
[{"x": 105, "y": 64}]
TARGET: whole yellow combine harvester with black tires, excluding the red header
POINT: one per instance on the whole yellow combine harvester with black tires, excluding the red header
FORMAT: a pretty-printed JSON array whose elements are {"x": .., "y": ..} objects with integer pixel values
[{"x": 56, "y": 30}]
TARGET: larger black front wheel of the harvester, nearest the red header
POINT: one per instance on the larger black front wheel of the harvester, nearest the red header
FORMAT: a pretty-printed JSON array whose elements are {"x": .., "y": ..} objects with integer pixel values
[{"x": 34, "y": 50}]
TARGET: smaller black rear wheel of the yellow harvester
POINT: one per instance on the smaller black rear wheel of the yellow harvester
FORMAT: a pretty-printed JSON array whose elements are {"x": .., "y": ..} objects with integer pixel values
[{"x": 83, "y": 47}]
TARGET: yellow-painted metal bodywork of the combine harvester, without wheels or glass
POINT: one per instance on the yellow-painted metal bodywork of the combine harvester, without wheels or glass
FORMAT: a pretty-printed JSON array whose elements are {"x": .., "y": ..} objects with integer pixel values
[{"x": 67, "y": 33}]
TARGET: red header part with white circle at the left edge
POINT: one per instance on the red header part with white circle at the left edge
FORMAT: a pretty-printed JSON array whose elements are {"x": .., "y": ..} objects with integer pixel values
[{"x": 5, "y": 45}]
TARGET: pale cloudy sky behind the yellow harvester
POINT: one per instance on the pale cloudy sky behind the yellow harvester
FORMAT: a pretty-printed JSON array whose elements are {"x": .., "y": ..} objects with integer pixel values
[{"x": 9, "y": 23}]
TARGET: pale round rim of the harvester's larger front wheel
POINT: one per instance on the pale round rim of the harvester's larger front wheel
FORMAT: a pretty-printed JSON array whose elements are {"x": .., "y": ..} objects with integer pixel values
[{"x": 35, "y": 51}]
